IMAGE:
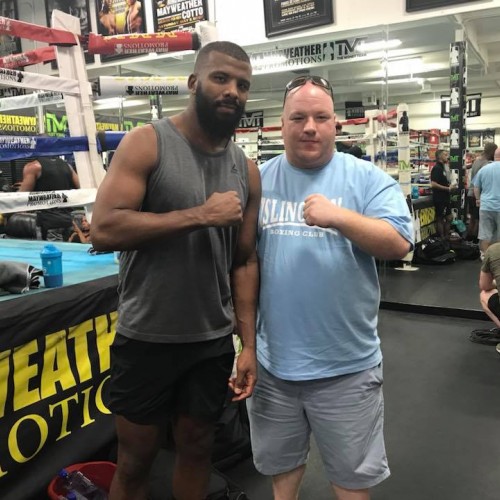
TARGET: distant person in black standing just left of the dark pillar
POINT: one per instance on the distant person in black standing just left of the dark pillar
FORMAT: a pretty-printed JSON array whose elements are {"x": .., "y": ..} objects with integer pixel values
[{"x": 441, "y": 190}]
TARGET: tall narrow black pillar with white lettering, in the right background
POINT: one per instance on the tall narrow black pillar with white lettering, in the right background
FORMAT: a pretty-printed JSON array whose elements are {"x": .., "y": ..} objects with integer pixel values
[{"x": 458, "y": 113}]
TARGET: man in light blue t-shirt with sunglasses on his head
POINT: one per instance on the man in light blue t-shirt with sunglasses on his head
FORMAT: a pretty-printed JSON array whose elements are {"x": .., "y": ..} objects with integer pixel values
[{"x": 324, "y": 218}]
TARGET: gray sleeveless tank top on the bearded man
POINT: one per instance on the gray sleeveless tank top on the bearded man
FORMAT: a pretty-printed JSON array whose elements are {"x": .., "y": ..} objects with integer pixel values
[{"x": 177, "y": 290}]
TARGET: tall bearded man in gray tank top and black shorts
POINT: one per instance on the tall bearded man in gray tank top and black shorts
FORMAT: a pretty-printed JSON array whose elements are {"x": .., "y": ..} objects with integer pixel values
[{"x": 180, "y": 202}]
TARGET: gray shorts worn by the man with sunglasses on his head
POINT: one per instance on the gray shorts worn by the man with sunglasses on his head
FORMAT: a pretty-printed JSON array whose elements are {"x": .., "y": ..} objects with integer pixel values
[{"x": 345, "y": 415}]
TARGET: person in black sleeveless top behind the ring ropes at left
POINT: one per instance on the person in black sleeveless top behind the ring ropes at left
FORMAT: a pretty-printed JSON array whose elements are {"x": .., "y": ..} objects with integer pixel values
[{"x": 51, "y": 174}]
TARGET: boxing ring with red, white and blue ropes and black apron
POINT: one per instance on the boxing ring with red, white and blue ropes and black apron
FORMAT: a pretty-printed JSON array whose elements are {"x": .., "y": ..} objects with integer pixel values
[{"x": 54, "y": 343}]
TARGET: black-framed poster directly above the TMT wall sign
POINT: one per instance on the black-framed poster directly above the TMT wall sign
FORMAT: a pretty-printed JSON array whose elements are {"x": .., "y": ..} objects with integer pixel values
[{"x": 286, "y": 16}]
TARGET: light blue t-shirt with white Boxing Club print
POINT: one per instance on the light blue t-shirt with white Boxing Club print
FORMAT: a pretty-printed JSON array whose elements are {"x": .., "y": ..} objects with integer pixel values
[{"x": 319, "y": 294}]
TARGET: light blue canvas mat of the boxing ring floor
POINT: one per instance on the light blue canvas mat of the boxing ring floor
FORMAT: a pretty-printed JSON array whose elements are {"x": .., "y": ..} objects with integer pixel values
[{"x": 78, "y": 265}]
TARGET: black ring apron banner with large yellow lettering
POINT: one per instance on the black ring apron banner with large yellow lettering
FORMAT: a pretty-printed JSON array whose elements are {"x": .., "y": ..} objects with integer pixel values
[{"x": 54, "y": 361}]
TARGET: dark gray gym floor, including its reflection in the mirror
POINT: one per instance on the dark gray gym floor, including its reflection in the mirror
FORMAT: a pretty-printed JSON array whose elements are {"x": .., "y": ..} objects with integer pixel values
[{"x": 442, "y": 404}]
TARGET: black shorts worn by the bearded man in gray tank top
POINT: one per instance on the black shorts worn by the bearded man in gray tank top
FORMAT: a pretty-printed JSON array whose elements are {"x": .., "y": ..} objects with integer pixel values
[{"x": 151, "y": 382}]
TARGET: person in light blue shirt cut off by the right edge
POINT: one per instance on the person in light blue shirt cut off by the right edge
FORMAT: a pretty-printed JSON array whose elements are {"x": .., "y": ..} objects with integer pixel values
[{"x": 487, "y": 192}]
